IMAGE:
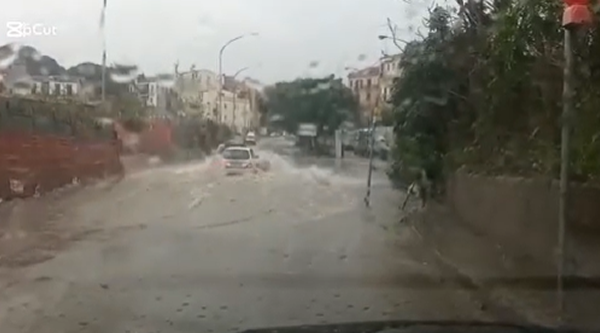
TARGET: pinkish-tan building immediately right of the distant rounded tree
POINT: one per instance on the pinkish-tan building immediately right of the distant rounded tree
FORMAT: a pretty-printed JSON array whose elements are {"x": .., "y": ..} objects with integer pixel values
[{"x": 365, "y": 86}]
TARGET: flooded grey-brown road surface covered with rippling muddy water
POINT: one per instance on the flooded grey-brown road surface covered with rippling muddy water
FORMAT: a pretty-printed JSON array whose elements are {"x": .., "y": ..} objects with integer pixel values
[{"x": 184, "y": 249}]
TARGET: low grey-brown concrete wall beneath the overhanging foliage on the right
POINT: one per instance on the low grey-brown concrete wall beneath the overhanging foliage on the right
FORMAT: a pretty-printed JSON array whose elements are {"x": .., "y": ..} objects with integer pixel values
[{"x": 522, "y": 216}]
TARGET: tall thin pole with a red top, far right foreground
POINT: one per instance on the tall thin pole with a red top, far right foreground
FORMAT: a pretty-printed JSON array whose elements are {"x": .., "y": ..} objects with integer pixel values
[{"x": 575, "y": 16}]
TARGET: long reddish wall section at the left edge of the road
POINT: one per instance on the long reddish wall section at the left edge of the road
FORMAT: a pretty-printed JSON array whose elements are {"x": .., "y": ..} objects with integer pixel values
[{"x": 32, "y": 163}]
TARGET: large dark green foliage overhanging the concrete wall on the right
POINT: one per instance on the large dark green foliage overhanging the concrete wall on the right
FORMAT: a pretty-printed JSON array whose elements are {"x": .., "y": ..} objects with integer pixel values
[{"x": 483, "y": 90}]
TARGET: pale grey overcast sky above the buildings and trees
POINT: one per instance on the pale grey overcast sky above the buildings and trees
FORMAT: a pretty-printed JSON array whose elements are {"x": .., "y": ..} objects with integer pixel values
[{"x": 154, "y": 34}]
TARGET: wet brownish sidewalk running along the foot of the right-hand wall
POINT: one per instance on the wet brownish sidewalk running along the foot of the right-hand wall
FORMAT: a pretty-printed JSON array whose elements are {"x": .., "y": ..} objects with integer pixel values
[{"x": 522, "y": 284}]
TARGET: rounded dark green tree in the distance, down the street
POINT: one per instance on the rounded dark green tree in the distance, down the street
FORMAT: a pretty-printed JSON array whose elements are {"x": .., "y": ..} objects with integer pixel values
[{"x": 325, "y": 102}]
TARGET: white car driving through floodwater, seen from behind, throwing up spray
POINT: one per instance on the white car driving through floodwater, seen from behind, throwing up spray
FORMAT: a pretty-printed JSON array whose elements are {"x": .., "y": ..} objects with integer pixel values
[{"x": 242, "y": 160}]
